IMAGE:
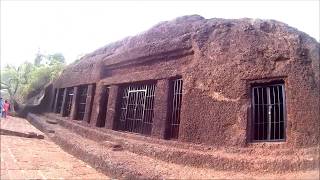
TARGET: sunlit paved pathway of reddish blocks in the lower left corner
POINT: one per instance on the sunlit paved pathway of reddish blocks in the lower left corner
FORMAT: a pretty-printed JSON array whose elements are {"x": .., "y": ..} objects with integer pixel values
[{"x": 30, "y": 158}]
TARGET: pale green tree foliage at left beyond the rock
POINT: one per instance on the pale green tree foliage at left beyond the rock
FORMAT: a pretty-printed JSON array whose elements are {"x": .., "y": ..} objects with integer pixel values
[{"x": 28, "y": 78}]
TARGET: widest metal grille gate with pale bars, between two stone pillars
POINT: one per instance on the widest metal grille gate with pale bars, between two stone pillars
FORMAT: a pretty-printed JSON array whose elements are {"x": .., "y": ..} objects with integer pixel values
[{"x": 136, "y": 112}]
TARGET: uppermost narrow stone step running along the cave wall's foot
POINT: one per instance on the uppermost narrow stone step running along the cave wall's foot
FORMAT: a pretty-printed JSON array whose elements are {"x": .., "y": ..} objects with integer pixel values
[{"x": 263, "y": 151}]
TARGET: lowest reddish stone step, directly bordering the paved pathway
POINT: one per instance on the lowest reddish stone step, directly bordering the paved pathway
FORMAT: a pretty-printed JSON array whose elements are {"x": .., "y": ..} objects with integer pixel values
[{"x": 121, "y": 163}]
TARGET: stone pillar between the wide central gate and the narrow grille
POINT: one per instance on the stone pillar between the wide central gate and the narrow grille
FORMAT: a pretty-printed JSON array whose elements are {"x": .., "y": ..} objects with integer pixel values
[{"x": 160, "y": 110}]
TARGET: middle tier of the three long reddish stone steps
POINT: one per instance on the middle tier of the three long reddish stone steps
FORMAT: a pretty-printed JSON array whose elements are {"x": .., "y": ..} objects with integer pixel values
[{"x": 216, "y": 158}]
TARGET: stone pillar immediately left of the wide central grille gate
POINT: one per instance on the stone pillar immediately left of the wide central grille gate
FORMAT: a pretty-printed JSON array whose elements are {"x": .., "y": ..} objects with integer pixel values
[{"x": 111, "y": 116}]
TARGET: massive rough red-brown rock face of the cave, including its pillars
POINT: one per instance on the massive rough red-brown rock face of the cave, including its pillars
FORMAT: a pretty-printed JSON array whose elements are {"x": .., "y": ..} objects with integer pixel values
[{"x": 218, "y": 60}]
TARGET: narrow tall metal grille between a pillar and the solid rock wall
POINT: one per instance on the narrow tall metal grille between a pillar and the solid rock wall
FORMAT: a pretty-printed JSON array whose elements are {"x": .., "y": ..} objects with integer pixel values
[{"x": 176, "y": 95}]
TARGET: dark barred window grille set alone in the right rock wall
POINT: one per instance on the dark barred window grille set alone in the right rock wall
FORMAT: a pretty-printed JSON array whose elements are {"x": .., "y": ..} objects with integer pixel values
[{"x": 268, "y": 112}]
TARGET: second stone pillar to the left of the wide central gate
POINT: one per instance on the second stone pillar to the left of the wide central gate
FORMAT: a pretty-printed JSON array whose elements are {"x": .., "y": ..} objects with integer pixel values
[{"x": 96, "y": 107}]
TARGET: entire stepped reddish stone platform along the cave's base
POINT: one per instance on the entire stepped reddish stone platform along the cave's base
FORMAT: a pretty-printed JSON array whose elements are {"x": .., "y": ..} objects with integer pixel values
[{"x": 125, "y": 155}]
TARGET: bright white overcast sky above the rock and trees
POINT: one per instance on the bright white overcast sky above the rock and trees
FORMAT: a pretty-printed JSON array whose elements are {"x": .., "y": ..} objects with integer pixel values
[{"x": 75, "y": 28}]
